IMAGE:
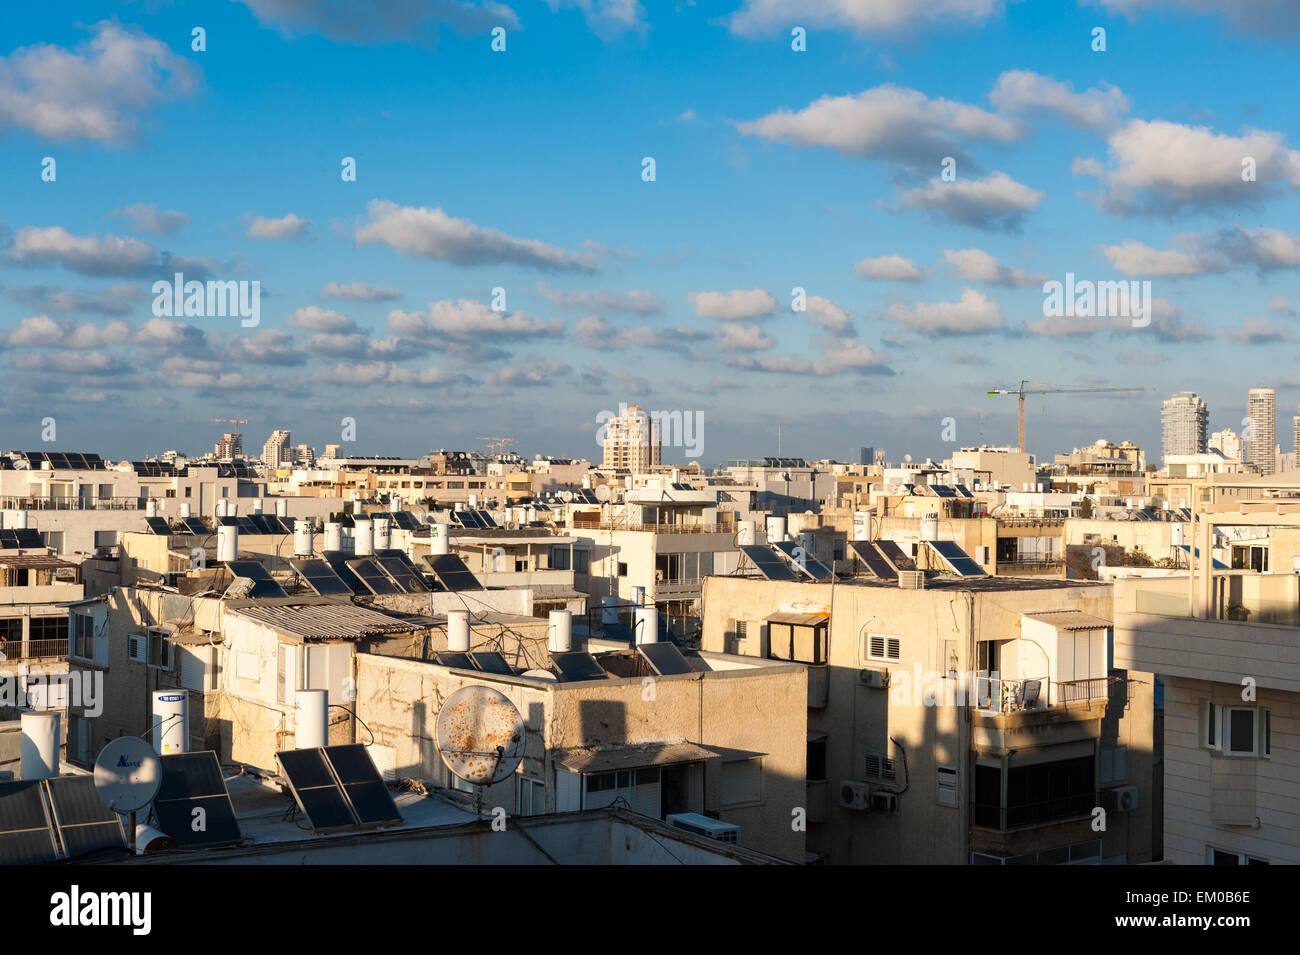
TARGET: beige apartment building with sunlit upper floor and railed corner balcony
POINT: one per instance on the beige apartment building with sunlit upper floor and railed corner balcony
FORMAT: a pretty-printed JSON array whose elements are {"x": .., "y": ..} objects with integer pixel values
[{"x": 974, "y": 720}]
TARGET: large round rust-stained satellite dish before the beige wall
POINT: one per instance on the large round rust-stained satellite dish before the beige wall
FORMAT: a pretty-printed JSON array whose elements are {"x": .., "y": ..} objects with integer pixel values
[{"x": 480, "y": 735}]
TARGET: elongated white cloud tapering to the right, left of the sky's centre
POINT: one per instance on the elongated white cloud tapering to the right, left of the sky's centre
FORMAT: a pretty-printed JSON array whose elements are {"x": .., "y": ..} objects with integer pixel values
[{"x": 434, "y": 235}]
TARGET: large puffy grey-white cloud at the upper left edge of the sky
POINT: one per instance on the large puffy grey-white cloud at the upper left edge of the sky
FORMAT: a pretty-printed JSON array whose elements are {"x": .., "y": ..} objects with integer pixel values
[{"x": 96, "y": 92}]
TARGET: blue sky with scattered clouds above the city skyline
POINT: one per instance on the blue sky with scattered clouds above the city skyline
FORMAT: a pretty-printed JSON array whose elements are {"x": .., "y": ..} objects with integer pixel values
[{"x": 523, "y": 171}]
